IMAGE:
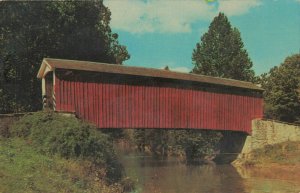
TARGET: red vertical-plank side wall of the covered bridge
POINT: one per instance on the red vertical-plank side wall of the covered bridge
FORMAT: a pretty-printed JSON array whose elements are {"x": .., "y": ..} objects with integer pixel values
[{"x": 132, "y": 106}]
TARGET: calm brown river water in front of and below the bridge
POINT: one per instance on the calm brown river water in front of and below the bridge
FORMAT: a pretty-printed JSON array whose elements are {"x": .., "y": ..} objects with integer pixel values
[{"x": 170, "y": 176}]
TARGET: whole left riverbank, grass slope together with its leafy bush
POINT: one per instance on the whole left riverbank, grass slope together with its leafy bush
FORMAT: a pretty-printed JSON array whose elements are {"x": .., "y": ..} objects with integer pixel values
[{"x": 46, "y": 151}]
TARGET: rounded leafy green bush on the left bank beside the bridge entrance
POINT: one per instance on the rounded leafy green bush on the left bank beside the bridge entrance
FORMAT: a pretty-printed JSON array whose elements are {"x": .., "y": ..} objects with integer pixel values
[{"x": 52, "y": 133}]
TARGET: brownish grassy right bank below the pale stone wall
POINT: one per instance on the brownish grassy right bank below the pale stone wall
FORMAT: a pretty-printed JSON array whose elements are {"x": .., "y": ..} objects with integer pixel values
[{"x": 279, "y": 161}]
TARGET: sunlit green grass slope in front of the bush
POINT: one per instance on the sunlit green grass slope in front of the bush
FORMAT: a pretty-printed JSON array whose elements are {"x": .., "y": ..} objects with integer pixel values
[{"x": 23, "y": 169}]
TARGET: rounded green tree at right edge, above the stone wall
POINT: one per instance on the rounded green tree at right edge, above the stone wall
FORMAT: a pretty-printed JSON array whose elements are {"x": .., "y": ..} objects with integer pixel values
[{"x": 282, "y": 90}]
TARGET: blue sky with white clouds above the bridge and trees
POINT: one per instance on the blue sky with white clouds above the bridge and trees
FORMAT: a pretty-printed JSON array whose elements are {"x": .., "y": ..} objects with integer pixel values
[{"x": 159, "y": 33}]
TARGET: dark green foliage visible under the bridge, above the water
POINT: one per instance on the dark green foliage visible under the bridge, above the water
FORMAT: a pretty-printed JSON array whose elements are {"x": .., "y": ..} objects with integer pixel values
[{"x": 196, "y": 145}]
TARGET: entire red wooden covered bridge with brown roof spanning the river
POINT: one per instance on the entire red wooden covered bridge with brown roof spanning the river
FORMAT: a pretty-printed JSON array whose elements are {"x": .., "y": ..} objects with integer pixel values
[{"x": 114, "y": 96}]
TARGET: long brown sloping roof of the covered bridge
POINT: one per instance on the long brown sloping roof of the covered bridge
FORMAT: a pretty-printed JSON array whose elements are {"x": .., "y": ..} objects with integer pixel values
[{"x": 50, "y": 64}]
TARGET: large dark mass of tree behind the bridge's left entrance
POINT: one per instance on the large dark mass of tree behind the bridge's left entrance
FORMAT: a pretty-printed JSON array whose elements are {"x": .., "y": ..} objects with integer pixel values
[{"x": 30, "y": 31}]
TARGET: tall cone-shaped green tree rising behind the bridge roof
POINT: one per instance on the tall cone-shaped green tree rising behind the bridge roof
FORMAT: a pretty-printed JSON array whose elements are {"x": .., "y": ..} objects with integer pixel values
[{"x": 221, "y": 52}]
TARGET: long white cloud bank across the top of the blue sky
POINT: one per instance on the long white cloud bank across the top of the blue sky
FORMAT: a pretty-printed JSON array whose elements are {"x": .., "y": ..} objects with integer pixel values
[{"x": 137, "y": 16}]
